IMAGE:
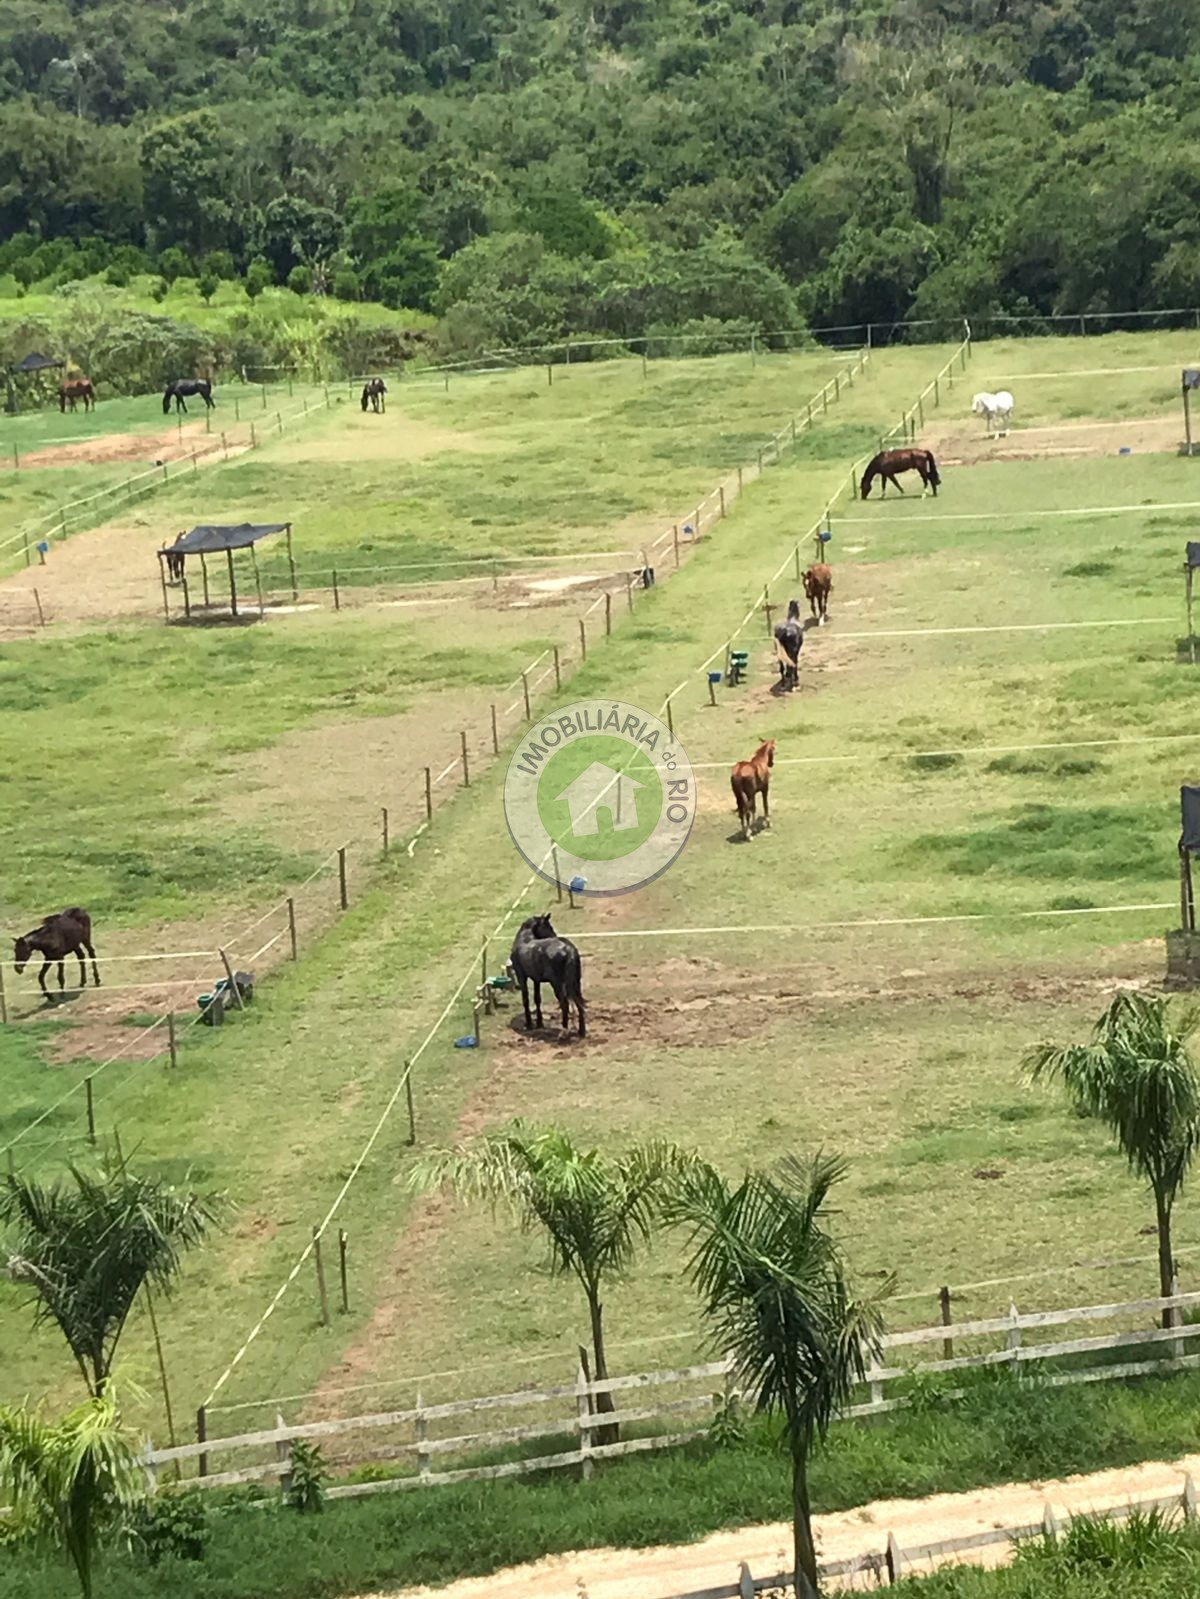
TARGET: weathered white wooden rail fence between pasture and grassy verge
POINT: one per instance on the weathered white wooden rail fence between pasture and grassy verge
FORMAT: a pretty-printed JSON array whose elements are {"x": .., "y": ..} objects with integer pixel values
[{"x": 425, "y": 1441}]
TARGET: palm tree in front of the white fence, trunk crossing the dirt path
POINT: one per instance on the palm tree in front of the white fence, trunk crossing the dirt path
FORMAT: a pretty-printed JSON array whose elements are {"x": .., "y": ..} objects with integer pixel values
[{"x": 774, "y": 1286}]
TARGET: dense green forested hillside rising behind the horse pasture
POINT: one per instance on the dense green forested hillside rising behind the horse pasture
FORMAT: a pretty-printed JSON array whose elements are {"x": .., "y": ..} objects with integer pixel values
[{"x": 618, "y": 167}]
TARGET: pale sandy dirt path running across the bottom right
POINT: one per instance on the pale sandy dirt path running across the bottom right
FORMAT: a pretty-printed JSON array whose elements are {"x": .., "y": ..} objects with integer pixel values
[{"x": 714, "y": 1561}]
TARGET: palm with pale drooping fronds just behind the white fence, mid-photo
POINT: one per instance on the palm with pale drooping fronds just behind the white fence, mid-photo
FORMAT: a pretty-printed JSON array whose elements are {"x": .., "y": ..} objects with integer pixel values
[{"x": 593, "y": 1208}]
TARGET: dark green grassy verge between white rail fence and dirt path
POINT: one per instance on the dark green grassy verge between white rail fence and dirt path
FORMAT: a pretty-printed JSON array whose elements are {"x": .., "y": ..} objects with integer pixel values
[{"x": 244, "y": 1549}]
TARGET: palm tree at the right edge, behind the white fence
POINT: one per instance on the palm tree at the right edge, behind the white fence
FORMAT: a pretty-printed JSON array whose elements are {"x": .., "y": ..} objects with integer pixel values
[{"x": 1138, "y": 1077}]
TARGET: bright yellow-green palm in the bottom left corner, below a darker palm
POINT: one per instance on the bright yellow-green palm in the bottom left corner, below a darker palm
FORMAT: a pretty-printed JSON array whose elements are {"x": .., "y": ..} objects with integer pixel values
[{"x": 70, "y": 1481}]
